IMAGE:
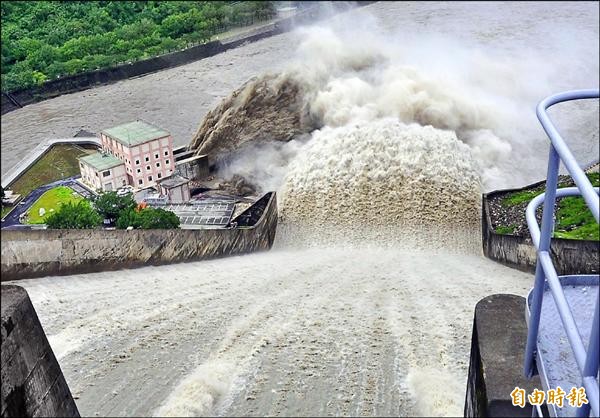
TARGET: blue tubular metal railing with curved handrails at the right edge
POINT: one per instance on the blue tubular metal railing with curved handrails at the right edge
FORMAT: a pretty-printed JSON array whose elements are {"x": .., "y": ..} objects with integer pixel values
[{"x": 587, "y": 362}]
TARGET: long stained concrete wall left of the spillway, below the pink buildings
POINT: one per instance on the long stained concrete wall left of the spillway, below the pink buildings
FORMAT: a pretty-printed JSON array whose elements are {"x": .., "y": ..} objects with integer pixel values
[{"x": 37, "y": 253}]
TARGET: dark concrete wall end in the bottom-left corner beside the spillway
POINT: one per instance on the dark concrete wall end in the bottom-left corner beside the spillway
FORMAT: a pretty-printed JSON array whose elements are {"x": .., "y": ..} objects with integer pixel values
[{"x": 32, "y": 382}]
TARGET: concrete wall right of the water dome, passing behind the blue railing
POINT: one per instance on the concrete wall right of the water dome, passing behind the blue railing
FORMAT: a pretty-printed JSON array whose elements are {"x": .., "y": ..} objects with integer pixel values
[{"x": 569, "y": 256}]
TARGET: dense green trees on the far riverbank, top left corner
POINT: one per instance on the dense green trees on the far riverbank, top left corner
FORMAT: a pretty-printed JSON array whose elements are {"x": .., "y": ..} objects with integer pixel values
[{"x": 44, "y": 40}]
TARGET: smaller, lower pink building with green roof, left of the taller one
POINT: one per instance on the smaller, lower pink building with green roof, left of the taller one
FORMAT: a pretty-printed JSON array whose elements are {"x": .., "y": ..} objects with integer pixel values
[{"x": 103, "y": 172}]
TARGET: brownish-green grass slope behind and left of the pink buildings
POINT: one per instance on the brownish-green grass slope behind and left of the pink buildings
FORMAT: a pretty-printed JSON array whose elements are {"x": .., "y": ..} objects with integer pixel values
[{"x": 59, "y": 162}]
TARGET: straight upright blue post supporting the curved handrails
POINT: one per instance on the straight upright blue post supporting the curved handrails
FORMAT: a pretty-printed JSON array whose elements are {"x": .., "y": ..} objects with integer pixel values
[{"x": 529, "y": 368}]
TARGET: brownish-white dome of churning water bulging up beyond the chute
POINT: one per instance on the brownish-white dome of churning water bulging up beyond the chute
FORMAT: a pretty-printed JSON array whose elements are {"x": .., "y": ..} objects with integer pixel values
[{"x": 397, "y": 181}]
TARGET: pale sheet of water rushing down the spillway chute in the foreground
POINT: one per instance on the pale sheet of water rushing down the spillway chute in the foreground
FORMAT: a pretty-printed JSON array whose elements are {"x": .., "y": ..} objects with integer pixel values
[{"x": 322, "y": 331}]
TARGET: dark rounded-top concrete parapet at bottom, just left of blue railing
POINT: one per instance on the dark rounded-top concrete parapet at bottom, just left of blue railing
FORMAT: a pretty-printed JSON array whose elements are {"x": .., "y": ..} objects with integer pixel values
[{"x": 496, "y": 363}]
